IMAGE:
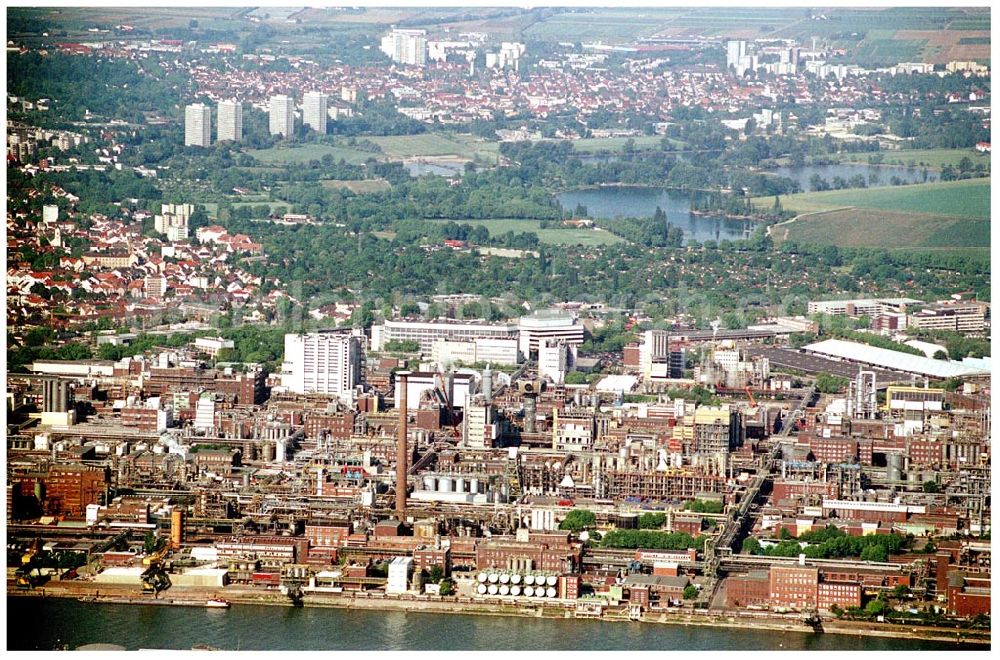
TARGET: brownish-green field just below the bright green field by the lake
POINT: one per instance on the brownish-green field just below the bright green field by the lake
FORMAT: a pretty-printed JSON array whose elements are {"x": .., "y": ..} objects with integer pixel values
[{"x": 859, "y": 227}]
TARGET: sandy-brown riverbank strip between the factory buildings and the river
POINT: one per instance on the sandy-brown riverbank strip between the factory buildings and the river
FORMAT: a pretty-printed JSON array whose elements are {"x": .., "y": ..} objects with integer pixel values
[{"x": 410, "y": 603}]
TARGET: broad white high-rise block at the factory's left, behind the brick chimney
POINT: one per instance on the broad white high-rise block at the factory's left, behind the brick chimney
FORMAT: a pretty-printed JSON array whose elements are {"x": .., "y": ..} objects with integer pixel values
[{"x": 323, "y": 363}]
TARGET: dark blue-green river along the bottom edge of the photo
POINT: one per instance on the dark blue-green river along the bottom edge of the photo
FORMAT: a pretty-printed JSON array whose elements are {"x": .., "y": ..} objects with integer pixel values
[{"x": 50, "y": 623}]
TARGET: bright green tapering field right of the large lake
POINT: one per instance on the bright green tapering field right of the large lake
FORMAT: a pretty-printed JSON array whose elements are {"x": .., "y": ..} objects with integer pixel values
[{"x": 964, "y": 199}]
